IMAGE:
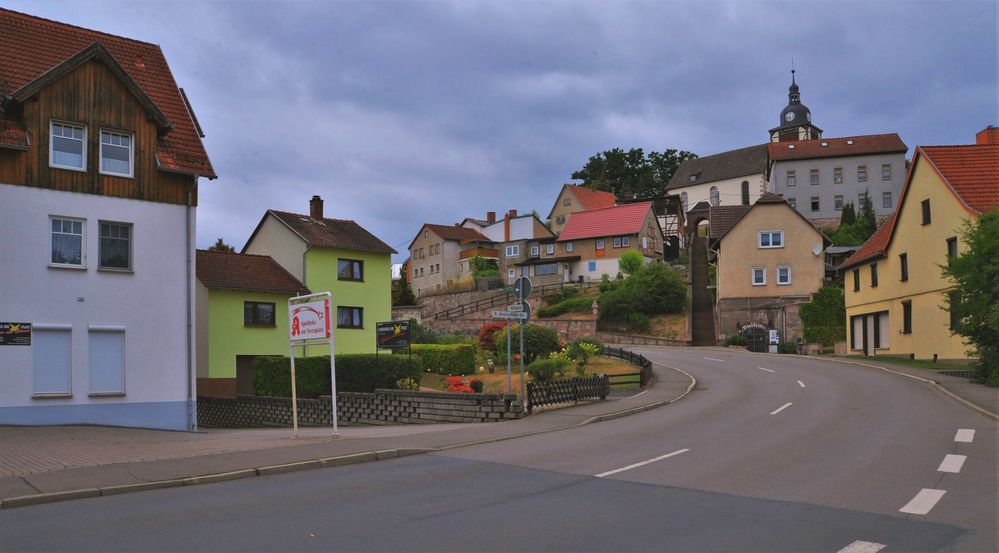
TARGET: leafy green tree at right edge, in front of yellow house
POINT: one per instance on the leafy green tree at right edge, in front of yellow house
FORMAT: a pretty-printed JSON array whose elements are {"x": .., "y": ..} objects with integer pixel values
[{"x": 974, "y": 300}]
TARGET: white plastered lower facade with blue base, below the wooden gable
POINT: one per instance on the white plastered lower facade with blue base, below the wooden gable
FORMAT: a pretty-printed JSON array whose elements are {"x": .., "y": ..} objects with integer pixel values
[{"x": 107, "y": 347}]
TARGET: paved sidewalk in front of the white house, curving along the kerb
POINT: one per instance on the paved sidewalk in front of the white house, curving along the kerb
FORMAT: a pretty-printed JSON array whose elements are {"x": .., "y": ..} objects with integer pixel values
[{"x": 43, "y": 464}]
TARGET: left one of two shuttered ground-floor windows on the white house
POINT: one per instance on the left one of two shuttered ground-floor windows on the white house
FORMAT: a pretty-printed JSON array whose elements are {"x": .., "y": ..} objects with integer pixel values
[{"x": 51, "y": 354}]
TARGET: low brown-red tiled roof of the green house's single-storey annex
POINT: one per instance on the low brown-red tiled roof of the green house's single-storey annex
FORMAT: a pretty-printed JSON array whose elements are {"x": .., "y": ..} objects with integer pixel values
[{"x": 240, "y": 271}]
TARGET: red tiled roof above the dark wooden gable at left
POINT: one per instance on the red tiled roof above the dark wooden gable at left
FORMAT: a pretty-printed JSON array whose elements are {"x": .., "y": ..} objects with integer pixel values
[{"x": 31, "y": 46}]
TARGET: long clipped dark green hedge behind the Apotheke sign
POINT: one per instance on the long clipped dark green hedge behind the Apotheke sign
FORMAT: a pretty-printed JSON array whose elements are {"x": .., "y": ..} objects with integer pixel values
[{"x": 354, "y": 373}]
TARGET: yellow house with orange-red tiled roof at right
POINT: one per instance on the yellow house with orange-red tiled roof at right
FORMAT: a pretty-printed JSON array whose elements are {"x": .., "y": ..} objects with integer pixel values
[{"x": 895, "y": 291}]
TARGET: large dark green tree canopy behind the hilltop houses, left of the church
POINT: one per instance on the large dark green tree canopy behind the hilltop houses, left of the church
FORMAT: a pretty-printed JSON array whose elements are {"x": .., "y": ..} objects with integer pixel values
[{"x": 632, "y": 174}]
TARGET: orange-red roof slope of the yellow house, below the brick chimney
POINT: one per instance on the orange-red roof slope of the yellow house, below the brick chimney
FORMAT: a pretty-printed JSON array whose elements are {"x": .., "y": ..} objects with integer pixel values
[{"x": 972, "y": 171}]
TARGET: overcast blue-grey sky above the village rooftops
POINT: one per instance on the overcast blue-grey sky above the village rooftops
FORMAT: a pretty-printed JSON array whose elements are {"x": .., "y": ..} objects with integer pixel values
[{"x": 403, "y": 113}]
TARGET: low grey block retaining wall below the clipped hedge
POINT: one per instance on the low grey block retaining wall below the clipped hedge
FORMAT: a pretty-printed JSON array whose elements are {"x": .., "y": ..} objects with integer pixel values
[{"x": 381, "y": 408}]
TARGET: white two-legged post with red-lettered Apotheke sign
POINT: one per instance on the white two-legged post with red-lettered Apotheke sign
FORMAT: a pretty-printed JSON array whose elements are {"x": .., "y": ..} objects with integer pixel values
[{"x": 310, "y": 324}]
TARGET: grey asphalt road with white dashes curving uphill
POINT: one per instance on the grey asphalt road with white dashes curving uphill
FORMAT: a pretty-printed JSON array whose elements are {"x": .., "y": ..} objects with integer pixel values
[{"x": 769, "y": 453}]
